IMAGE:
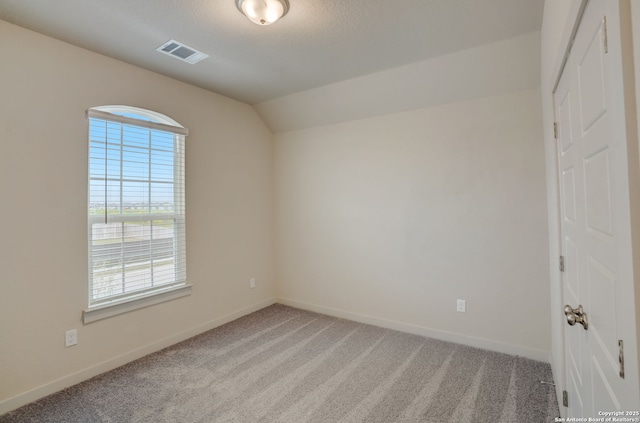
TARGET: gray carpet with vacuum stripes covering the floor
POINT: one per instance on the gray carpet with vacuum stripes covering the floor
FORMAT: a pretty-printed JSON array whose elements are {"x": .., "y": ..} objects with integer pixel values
[{"x": 282, "y": 364}]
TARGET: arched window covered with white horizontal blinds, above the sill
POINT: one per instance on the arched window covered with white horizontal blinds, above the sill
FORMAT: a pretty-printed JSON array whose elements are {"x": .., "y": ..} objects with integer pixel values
[{"x": 136, "y": 211}]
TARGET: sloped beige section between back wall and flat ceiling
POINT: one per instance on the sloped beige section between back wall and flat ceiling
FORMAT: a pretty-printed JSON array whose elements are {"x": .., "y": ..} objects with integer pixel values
[{"x": 505, "y": 66}]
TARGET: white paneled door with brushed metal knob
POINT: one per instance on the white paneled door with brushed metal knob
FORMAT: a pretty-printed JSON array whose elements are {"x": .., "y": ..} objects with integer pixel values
[{"x": 595, "y": 220}]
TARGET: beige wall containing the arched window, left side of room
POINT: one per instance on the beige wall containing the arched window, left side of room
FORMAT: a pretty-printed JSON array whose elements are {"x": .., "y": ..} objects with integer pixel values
[{"x": 45, "y": 88}]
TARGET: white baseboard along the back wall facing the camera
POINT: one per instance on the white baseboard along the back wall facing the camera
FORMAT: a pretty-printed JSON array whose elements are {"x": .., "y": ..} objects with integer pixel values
[{"x": 471, "y": 341}]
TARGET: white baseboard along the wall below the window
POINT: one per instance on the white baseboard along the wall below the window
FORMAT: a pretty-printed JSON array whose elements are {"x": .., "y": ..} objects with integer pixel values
[{"x": 112, "y": 363}]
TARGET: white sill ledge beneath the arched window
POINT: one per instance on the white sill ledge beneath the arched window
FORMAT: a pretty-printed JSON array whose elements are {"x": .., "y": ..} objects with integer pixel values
[{"x": 103, "y": 311}]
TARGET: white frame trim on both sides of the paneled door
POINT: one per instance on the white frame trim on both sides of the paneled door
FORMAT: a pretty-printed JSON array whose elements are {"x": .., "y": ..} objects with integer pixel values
[{"x": 629, "y": 116}]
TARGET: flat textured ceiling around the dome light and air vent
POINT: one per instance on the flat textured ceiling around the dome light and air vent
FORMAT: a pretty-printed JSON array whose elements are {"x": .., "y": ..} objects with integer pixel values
[{"x": 317, "y": 43}]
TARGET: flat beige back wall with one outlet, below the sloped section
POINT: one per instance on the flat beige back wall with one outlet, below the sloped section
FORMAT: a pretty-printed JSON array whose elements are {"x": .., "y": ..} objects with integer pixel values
[{"x": 391, "y": 219}]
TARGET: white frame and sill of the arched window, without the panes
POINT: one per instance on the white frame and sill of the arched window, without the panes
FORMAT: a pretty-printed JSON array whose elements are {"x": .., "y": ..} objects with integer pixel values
[{"x": 112, "y": 305}]
